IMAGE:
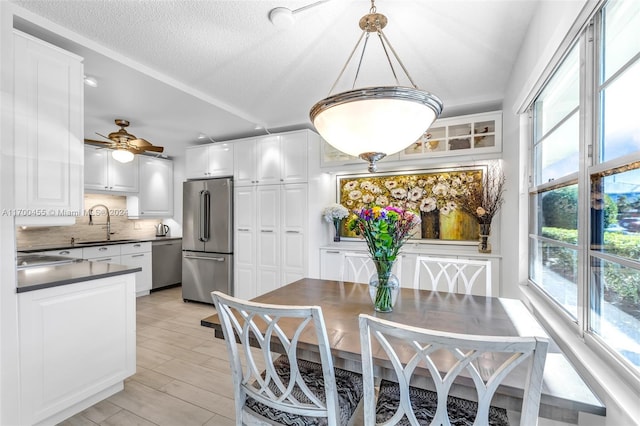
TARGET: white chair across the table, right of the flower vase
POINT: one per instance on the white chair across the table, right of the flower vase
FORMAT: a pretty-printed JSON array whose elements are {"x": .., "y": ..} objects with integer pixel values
[{"x": 449, "y": 272}]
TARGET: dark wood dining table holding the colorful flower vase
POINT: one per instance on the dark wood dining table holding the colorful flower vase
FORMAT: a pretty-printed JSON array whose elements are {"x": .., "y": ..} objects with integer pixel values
[{"x": 564, "y": 393}]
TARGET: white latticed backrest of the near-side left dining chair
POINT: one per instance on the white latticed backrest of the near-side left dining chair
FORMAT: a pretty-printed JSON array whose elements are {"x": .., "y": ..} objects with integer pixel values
[{"x": 269, "y": 325}]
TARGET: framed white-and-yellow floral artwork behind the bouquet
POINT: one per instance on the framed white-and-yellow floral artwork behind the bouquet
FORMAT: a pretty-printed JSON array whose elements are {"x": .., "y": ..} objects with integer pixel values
[{"x": 430, "y": 194}]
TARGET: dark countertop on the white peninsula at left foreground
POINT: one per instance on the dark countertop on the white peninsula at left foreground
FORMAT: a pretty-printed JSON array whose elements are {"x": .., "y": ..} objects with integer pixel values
[{"x": 37, "y": 278}]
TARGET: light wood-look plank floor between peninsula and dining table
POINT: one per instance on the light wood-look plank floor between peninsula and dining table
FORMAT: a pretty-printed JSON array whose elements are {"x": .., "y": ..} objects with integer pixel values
[{"x": 183, "y": 376}]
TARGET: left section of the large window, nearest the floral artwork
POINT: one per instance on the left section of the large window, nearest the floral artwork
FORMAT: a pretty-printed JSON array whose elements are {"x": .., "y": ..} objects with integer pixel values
[{"x": 554, "y": 200}]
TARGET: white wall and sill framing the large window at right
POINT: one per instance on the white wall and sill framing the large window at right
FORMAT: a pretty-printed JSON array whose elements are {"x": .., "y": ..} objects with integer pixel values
[{"x": 554, "y": 25}]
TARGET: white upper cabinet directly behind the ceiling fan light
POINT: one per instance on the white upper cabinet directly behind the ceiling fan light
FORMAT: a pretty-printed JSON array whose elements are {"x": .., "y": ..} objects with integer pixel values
[{"x": 103, "y": 173}]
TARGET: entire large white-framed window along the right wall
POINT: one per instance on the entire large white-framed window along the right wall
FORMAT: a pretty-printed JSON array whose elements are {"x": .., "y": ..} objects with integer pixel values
[{"x": 585, "y": 192}]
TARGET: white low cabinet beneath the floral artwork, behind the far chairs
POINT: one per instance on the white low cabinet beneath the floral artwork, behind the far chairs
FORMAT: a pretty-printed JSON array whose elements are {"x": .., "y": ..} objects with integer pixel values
[{"x": 331, "y": 263}]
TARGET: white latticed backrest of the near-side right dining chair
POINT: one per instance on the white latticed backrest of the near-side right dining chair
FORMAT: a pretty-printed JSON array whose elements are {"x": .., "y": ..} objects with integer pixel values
[{"x": 446, "y": 356}]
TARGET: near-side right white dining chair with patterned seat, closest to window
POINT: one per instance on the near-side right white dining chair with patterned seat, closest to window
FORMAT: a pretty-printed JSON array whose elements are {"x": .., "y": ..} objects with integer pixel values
[{"x": 445, "y": 356}]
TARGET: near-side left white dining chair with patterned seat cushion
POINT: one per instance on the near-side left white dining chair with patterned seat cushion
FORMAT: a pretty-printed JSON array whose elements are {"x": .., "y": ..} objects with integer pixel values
[{"x": 290, "y": 390}]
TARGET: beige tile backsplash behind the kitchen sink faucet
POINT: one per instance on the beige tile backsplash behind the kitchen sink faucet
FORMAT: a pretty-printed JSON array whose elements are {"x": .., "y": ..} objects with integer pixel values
[{"x": 121, "y": 226}]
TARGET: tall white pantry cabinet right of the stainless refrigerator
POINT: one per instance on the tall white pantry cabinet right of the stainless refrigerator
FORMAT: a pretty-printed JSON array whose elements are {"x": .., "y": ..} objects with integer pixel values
[{"x": 272, "y": 220}]
